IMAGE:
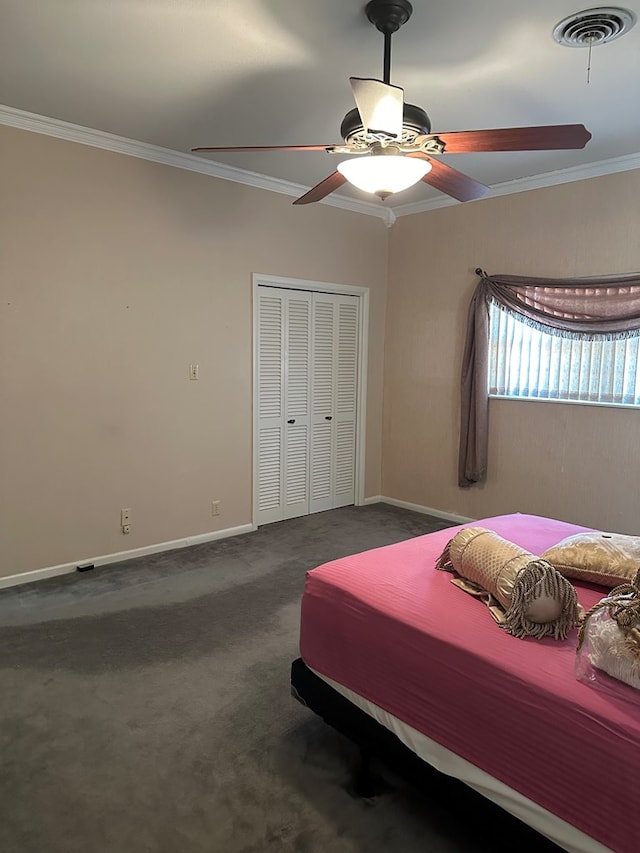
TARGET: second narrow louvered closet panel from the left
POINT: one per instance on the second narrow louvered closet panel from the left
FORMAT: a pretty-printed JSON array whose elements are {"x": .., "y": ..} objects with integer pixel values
[{"x": 297, "y": 329}]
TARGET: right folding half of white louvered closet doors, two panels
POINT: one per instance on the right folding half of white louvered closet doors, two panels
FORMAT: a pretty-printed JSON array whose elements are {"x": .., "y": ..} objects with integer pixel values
[{"x": 334, "y": 371}]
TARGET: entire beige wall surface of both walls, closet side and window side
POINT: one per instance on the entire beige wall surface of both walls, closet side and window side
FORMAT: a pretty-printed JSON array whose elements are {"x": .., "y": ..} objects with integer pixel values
[{"x": 116, "y": 274}]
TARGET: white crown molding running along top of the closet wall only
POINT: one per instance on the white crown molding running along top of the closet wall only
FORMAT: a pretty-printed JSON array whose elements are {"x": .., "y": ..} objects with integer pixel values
[{"x": 154, "y": 153}]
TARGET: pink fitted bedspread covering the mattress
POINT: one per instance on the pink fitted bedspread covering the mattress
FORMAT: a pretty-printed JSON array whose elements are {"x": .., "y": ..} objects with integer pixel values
[{"x": 388, "y": 625}]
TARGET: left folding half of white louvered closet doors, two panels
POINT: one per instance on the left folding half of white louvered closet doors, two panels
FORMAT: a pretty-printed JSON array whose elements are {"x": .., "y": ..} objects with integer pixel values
[{"x": 282, "y": 447}]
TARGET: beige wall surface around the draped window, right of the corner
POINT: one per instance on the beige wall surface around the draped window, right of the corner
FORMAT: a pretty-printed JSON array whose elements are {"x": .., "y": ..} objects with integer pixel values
[{"x": 578, "y": 463}]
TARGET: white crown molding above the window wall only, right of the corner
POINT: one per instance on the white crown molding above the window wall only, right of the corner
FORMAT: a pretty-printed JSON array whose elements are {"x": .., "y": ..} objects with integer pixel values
[{"x": 536, "y": 182}]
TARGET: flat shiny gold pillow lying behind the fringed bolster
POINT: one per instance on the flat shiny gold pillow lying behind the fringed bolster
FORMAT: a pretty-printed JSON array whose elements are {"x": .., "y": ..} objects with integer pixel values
[{"x": 608, "y": 559}]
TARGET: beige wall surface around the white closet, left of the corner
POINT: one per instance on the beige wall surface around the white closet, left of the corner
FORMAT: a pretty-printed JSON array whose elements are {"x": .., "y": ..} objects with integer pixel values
[{"x": 115, "y": 275}]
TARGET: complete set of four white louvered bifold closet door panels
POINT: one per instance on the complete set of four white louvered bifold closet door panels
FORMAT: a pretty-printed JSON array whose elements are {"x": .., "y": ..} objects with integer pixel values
[{"x": 307, "y": 383}]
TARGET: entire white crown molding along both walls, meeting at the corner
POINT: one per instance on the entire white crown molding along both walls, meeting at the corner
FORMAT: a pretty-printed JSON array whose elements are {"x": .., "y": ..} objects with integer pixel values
[{"x": 154, "y": 153}]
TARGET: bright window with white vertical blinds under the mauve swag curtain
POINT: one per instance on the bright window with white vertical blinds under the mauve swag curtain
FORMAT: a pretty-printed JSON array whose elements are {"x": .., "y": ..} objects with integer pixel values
[{"x": 528, "y": 363}]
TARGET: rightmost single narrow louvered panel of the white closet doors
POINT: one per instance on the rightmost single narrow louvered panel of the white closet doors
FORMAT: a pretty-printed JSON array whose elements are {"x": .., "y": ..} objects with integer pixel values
[{"x": 345, "y": 407}]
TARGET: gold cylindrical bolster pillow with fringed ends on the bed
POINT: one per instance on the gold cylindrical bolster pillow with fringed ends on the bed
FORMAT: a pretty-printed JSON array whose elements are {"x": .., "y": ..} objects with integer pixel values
[{"x": 525, "y": 594}]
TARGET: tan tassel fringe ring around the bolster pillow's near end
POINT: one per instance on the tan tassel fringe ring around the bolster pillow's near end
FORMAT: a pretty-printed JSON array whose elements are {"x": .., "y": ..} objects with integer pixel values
[{"x": 537, "y": 577}]
